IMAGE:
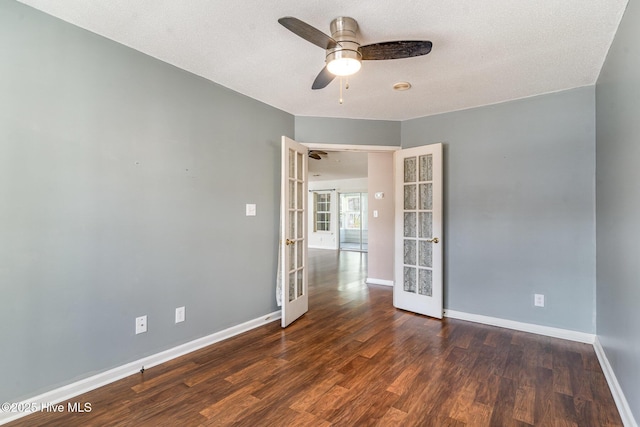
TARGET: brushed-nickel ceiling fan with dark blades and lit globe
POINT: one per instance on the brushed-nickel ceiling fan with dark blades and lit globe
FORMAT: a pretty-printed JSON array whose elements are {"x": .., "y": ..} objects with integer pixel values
[{"x": 343, "y": 51}]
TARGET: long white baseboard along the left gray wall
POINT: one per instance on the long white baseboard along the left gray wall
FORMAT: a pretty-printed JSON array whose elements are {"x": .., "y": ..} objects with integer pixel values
[{"x": 91, "y": 383}]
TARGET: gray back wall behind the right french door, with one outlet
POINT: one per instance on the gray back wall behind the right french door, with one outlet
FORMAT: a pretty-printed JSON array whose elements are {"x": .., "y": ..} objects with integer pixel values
[{"x": 519, "y": 207}]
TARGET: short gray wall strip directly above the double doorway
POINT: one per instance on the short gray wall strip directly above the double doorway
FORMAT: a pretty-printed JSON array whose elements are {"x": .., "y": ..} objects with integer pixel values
[{"x": 347, "y": 131}]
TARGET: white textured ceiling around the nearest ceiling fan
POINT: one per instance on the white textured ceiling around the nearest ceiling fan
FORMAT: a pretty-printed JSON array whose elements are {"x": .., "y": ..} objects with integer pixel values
[{"x": 484, "y": 52}]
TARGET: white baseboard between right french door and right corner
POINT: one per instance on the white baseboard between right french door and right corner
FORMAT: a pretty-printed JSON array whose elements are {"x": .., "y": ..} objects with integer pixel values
[{"x": 524, "y": 327}]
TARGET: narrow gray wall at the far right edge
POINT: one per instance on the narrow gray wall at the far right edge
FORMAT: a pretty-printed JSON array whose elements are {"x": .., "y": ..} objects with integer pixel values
[{"x": 618, "y": 206}]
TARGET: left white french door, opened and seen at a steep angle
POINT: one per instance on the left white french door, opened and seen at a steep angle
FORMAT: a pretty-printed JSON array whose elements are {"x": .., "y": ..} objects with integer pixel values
[{"x": 293, "y": 231}]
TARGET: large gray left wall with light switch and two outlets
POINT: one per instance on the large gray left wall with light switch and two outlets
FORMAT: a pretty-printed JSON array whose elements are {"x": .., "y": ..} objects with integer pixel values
[{"x": 123, "y": 182}]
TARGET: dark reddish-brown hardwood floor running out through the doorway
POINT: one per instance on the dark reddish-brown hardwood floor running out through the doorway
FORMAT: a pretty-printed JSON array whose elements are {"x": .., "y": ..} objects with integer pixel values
[{"x": 354, "y": 360}]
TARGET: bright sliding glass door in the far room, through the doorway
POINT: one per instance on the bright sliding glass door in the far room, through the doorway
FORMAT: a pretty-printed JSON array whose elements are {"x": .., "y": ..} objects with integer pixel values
[{"x": 354, "y": 224}]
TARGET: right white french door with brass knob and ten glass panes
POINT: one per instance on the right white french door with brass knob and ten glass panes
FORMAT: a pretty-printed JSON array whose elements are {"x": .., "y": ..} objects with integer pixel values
[{"x": 418, "y": 230}]
